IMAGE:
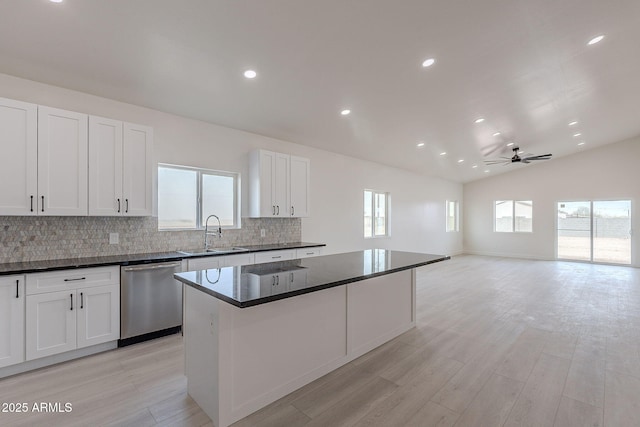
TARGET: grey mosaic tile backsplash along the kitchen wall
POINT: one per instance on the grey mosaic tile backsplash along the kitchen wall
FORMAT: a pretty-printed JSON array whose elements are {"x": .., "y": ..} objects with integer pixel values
[{"x": 48, "y": 238}]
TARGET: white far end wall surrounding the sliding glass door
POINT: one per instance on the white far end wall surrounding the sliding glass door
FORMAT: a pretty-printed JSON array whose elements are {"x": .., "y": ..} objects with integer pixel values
[{"x": 606, "y": 173}]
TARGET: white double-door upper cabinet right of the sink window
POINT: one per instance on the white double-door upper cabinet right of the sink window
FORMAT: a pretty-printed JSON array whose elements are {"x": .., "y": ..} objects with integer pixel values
[{"x": 273, "y": 192}]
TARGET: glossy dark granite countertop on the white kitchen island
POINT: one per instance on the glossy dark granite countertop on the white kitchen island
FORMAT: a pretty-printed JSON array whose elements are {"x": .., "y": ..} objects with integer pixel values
[{"x": 251, "y": 285}]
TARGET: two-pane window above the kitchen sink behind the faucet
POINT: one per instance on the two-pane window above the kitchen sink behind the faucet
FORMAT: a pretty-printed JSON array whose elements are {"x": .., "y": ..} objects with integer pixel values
[{"x": 187, "y": 196}]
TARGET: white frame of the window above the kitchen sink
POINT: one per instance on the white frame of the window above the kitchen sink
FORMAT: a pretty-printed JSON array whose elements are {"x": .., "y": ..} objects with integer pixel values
[{"x": 200, "y": 172}]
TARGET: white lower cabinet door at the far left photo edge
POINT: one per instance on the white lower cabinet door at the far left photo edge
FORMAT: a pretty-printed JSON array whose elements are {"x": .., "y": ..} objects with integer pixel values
[{"x": 11, "y": 320}]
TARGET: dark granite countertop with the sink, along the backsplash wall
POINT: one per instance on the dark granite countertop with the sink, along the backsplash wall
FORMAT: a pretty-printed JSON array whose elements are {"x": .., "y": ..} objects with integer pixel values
[{"x": 132, "y": 259}]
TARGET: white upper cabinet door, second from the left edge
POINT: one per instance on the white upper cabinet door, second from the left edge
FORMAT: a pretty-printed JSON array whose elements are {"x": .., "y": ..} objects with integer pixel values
[{"x": 62, "y": 162}]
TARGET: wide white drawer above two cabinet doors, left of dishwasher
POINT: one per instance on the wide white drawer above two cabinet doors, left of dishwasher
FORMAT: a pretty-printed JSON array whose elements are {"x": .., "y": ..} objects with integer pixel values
[{"x": 38, "y": 283}]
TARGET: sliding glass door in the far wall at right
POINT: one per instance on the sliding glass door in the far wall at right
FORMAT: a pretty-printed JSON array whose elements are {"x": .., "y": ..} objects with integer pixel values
[{"x": 595, "y": 231}]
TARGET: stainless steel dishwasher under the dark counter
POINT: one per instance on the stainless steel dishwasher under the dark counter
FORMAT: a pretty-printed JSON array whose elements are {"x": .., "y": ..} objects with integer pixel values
[{"x": 150, "y": 301}]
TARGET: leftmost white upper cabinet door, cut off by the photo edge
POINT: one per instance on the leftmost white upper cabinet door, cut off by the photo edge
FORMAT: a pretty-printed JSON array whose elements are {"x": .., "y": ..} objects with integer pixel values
[{"x": 19, "y": 159}]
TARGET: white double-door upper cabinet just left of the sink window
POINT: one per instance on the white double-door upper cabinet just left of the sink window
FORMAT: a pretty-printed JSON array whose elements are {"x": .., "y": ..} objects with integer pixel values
[{"x": 120, "y": 168}]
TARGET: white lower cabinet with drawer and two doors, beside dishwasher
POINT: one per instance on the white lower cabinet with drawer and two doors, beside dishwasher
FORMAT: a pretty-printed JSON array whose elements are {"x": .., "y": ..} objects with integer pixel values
[{"x": 84, "y": 314}]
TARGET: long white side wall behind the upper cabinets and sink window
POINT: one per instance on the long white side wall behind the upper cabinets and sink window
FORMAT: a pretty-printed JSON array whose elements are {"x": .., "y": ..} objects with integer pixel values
[{"x": 337, "y": 182}]
